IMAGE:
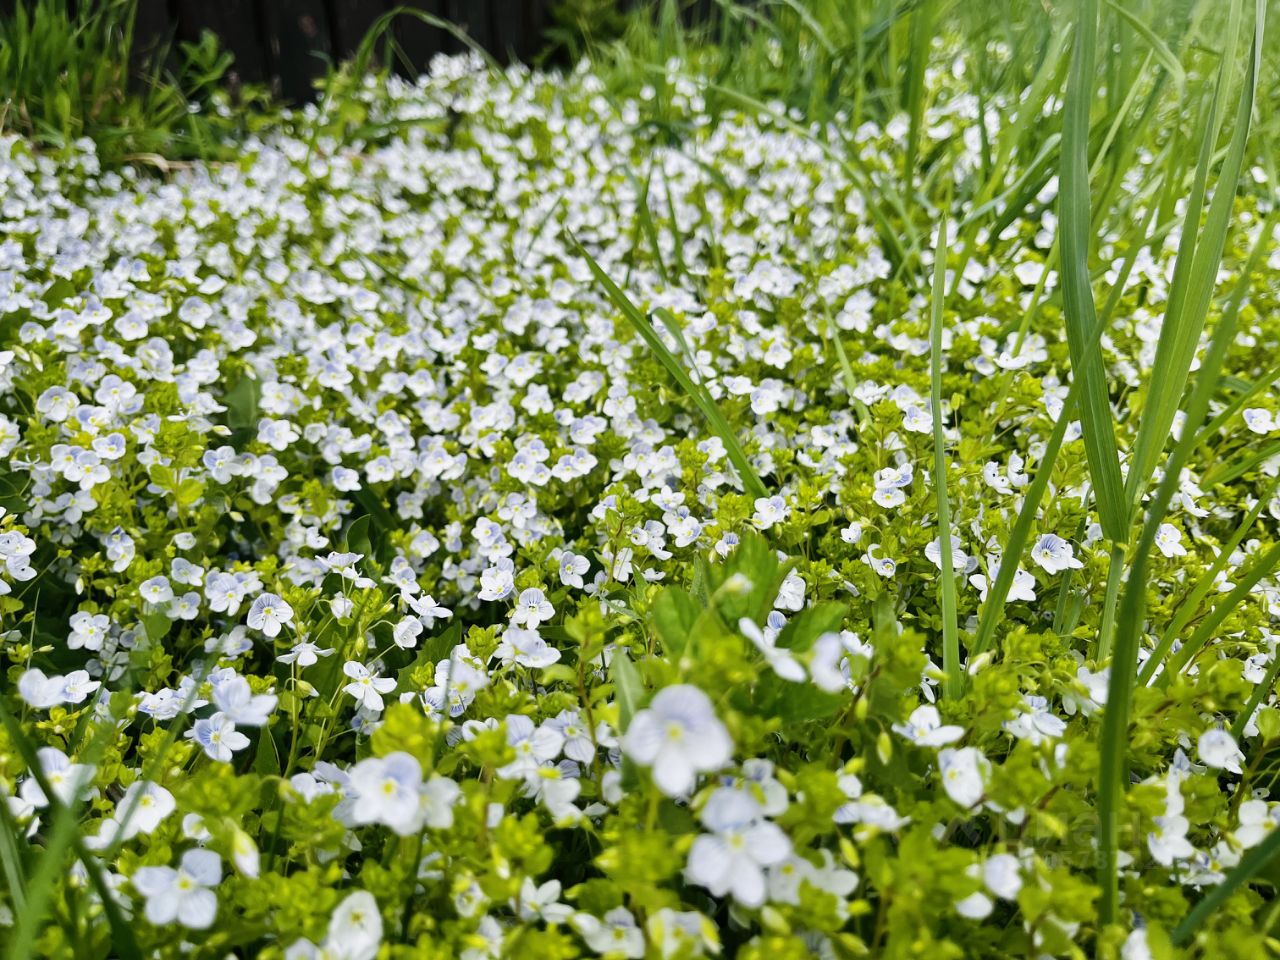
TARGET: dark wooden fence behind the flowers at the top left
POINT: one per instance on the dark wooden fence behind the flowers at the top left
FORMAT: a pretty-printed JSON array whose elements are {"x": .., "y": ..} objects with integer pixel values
[{"x": 287, "y": 44}]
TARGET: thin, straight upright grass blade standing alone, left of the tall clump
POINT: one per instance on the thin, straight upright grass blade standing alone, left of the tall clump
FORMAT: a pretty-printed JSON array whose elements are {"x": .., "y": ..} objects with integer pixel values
[{"x": 954, "y": 684}]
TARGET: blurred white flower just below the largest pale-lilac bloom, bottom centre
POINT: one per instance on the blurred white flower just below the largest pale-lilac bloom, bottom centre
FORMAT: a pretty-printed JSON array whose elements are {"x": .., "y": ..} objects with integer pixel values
[{"x": 733, "y": 858}]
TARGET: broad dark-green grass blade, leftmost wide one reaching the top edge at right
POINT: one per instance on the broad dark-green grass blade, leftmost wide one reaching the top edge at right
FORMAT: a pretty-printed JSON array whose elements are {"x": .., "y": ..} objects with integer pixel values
[{"x": 1081, "y": 316}]
